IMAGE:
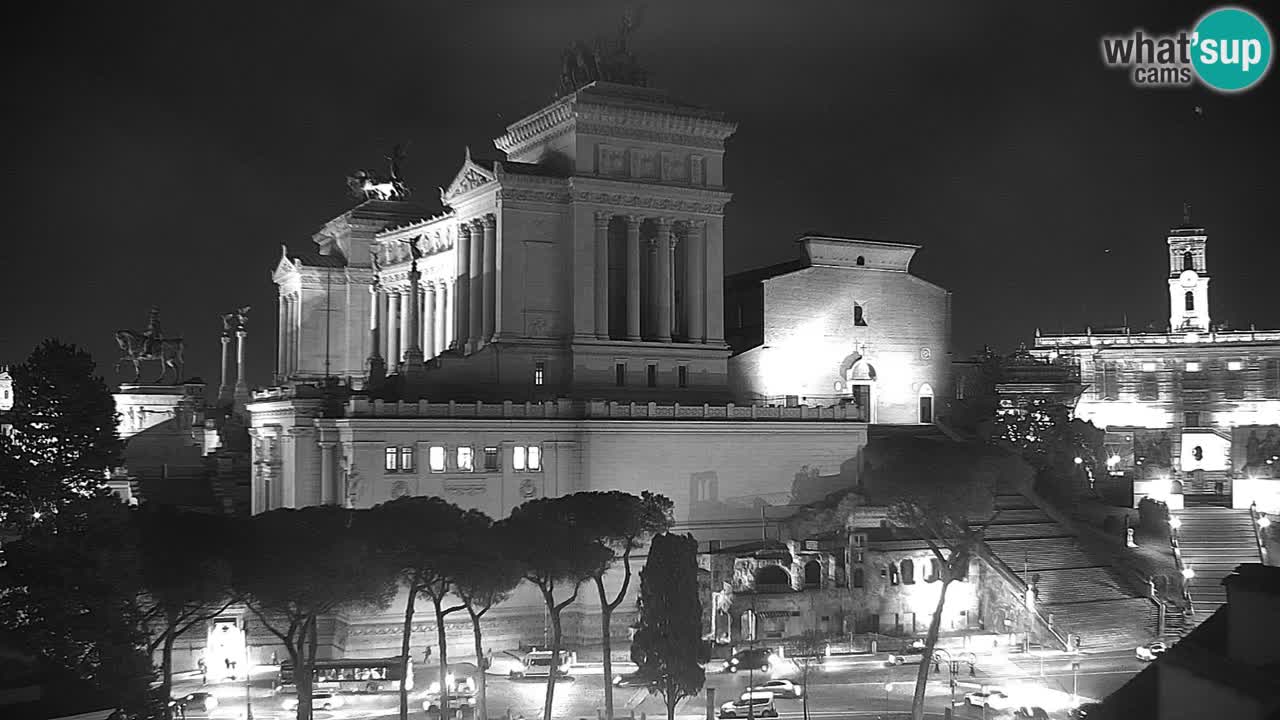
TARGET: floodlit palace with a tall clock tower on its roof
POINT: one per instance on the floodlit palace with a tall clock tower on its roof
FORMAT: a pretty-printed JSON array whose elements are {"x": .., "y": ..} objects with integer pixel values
[{"x": 1195, "y": 411}]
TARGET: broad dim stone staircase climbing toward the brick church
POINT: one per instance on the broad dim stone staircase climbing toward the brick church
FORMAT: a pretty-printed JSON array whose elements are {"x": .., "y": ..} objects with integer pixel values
[{"x": 1078, "y": 594}]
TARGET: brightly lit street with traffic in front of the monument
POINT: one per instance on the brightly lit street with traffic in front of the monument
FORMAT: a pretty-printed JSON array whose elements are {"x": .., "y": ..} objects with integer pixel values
[{"x": 842, "y": 687}]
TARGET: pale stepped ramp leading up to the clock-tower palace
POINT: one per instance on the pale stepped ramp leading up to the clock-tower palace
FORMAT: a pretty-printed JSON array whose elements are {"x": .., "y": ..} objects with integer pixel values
[{"x": 1214, "y": 541}]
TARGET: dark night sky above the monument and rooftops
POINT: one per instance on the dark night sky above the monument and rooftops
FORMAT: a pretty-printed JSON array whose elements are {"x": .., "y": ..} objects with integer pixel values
[{"x": 161, "y": 153}]
